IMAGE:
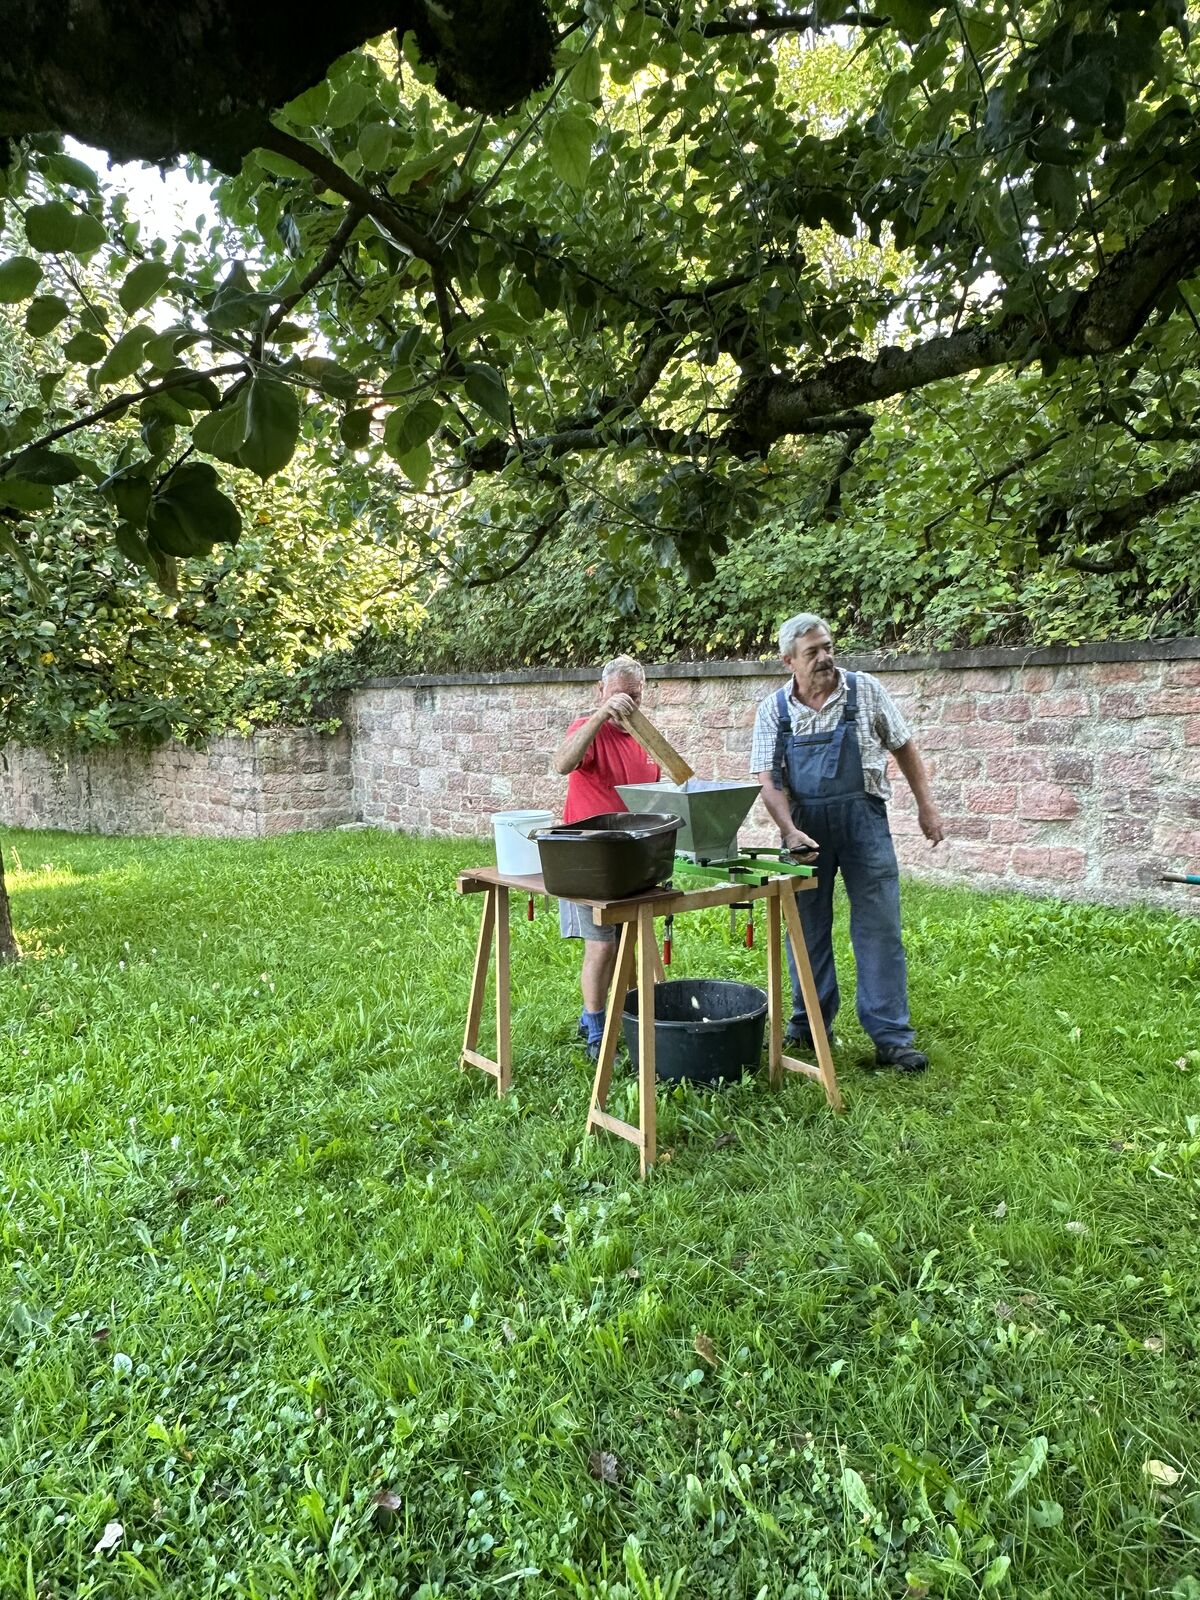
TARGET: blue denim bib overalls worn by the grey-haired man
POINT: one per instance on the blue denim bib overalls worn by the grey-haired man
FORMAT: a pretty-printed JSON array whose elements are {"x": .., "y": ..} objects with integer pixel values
[{"x": 823, "y": 775}]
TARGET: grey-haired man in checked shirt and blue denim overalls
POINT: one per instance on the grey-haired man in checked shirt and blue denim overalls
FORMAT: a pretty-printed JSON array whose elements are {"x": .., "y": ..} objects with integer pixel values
[{"x": 822, "y": 754}]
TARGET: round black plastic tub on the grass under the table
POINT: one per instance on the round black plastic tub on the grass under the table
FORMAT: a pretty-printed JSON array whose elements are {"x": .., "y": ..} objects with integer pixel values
[{"x": 705, "y": 1030}]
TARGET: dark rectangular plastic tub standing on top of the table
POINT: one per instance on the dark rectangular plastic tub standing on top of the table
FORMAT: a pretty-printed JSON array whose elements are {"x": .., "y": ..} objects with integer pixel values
[{"x": 607, "y": 857}]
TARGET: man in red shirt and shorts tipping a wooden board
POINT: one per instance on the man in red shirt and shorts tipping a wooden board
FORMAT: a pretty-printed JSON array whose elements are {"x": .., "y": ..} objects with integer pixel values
[{"x": 596, "y": 756}]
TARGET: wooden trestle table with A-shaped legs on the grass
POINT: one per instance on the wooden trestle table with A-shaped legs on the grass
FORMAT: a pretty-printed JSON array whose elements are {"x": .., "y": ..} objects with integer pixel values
[{"x": 639, "y": 966}]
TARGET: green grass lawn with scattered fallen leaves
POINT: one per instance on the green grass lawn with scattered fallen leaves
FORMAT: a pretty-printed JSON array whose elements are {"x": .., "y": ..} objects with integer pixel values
[{"x": 311, "y": 1314}]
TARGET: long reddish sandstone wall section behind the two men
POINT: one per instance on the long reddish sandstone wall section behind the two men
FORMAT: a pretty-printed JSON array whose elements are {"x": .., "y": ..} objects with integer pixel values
[{"x": 1066, "y": 772}]
